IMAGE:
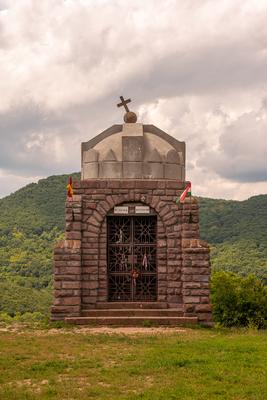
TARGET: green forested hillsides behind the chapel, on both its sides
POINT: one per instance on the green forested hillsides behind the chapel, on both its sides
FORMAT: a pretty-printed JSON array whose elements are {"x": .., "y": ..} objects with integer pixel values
[{"x": 32, "y": 220}]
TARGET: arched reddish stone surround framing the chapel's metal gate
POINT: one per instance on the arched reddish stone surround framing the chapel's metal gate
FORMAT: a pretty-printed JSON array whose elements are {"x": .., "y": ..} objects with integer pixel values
[{"x": 97, "y": 230}]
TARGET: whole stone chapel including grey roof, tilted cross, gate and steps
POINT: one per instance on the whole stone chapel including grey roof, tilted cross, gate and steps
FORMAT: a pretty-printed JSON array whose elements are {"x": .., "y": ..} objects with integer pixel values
[{"x": 131, "y": 253}]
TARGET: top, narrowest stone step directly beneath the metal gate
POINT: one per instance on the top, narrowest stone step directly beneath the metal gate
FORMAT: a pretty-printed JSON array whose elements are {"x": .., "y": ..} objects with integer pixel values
[{"x": 130, "y": 305}]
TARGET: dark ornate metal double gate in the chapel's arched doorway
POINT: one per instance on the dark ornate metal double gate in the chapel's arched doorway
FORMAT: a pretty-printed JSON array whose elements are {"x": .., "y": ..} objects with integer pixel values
[{"x": 132, "y": 268}]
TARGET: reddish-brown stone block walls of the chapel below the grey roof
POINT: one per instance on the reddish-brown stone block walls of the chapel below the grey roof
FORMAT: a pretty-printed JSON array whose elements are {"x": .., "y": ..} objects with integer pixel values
[{"x": 80, "y": 266}]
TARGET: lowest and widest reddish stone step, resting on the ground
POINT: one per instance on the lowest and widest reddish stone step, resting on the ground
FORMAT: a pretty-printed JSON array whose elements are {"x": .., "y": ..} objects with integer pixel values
[{"x": 131, "y": 321}]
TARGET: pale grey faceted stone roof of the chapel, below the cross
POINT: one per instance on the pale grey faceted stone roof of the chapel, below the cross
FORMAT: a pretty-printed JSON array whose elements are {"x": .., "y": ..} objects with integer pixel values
[{"x": 133, "y": 150}]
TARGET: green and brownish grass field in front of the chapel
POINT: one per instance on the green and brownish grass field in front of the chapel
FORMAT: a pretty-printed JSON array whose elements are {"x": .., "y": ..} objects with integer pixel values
[{"x": 186, "y": 364}]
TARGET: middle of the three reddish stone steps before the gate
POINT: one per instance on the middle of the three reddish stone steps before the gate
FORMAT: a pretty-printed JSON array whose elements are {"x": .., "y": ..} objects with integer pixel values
[{"x": 135, "y": 312}]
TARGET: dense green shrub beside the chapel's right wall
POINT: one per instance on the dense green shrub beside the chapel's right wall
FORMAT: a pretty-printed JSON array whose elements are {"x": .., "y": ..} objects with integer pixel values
[{"x": 238, "y": 301}]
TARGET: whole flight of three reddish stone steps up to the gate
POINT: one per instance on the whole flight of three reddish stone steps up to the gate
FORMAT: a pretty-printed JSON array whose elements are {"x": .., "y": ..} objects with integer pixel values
[{"x": 132, "y": 314}]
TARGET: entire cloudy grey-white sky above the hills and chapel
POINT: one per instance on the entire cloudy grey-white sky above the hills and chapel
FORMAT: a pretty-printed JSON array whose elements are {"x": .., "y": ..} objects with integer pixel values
[{"x": 195, "y": 68}]
